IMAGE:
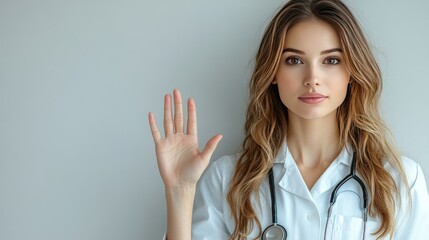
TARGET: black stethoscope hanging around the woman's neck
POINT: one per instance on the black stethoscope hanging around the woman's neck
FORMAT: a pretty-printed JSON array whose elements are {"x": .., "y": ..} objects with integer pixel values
[{"x": 277, "y": 232}]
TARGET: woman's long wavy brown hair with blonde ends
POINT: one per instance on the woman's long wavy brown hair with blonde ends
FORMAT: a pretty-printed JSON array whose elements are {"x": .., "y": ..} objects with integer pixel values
[{"x": 360, "y": 124}]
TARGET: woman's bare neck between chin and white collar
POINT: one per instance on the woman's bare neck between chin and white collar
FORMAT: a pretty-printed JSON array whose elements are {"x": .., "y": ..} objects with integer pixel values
[{"x": 314, "y": 142}]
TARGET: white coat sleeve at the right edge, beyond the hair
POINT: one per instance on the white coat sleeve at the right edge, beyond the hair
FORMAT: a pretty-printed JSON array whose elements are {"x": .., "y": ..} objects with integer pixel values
[{"x": 416, "y": 221}]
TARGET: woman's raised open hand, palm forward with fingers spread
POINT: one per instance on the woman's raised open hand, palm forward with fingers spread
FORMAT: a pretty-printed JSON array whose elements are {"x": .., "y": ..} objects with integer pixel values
[{"x": 179, "y": 160}]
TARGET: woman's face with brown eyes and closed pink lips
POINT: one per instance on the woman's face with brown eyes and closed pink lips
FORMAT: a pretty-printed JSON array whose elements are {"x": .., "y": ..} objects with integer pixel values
[{"x": 312, "y": 77}]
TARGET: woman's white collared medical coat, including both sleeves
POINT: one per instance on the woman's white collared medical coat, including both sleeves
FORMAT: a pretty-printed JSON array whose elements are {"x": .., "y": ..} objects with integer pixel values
[{"x": 302, "y": 211}]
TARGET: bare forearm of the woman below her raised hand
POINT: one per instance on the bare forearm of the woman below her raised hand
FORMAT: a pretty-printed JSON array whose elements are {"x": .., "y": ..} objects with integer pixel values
[{"x": 179, "y": 213}]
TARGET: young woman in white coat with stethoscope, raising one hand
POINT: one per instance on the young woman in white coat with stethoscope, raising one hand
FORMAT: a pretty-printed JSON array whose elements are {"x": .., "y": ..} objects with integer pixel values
[{"x": 317, "y": 161}]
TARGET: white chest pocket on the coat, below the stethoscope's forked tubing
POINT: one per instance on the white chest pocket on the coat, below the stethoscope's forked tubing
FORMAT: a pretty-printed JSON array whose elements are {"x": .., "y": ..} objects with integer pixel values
[{"x": 351, "y": 228}]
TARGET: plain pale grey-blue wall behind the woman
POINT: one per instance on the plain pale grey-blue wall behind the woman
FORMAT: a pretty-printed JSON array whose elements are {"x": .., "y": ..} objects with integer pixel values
[{"x": 78, "y": 78}]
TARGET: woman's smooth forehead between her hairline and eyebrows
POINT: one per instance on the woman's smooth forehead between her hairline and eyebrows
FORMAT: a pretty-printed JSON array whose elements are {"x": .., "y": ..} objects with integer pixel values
[{"x": 312, "y": 35}]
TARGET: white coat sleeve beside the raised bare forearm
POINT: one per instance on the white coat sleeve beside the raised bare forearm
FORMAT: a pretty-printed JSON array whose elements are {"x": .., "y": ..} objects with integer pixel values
[{"x": 208, "y": 216}]
